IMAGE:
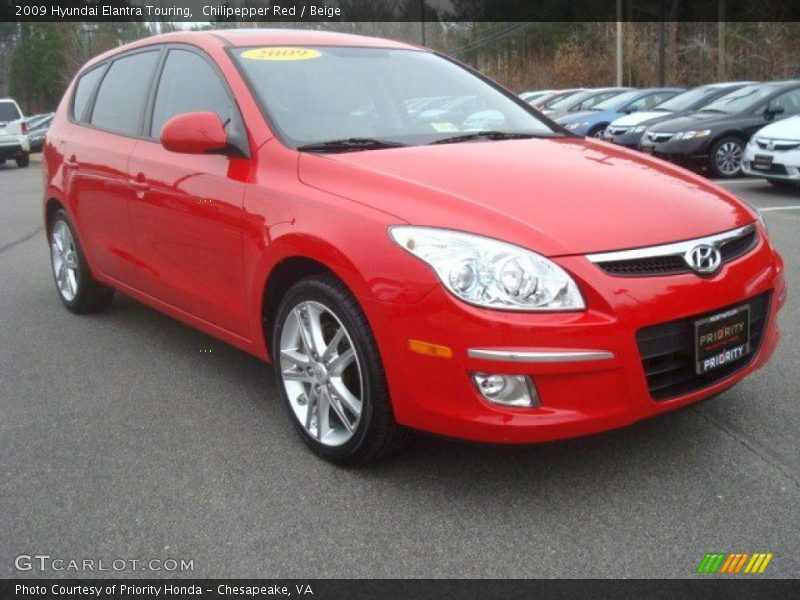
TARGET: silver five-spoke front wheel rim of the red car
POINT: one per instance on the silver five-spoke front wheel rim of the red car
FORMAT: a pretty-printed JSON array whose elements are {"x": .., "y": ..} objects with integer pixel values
[{"x": 321, "y": 373}]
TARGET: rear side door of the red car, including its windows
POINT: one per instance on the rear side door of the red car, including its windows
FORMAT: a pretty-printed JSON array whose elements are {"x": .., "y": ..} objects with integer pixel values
[{"x": 96, "y": 159}]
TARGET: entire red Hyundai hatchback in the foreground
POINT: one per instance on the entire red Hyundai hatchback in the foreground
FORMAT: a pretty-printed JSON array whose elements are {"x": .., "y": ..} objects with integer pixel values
[{"x": 401, "y": 268}]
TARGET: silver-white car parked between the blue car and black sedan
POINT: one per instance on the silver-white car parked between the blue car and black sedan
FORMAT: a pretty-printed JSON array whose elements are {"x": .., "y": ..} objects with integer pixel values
[{"x": 628, "y": 130}]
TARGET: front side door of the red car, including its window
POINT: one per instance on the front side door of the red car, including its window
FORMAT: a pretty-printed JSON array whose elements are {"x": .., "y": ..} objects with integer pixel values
[{"x": 187, "y": 209}]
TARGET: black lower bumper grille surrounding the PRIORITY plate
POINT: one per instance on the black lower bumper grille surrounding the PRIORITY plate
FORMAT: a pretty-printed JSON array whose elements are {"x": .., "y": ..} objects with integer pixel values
[{"x": 667, "y": 352}]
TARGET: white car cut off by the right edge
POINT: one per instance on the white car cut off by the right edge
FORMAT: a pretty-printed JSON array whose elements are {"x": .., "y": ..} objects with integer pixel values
[{"x": 774, "y": 153}]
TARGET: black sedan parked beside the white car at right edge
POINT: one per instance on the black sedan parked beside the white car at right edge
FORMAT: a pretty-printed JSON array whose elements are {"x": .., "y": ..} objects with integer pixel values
[{"x": 715, "y": 136}]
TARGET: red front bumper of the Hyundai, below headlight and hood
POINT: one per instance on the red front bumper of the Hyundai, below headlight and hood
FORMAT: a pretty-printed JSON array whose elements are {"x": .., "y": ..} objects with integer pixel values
[{"x": 578, "y": 396}]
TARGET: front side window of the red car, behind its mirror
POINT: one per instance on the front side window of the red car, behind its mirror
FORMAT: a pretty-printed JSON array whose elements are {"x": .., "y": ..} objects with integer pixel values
[{"x": 188, "y": 84}]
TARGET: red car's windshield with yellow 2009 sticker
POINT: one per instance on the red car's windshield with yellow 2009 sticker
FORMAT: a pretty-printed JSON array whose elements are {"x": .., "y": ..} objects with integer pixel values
[{"x": 402, "y": 96}]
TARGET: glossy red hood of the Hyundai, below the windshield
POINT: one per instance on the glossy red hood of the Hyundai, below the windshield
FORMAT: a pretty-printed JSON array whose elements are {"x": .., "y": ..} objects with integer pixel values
[{"x": 555, "y": 196}]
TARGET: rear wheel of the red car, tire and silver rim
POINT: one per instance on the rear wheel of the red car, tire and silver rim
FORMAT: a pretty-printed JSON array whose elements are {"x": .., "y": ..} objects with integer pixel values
[{"x": 77, "y": 289}]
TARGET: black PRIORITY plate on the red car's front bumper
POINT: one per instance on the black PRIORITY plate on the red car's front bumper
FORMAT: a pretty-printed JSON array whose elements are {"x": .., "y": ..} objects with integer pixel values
[{"x": 721, "y": 339}]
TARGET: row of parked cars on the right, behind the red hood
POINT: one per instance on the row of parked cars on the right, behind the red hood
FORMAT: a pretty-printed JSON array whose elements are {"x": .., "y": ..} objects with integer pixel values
[{"x": 726, "y": 128}]
